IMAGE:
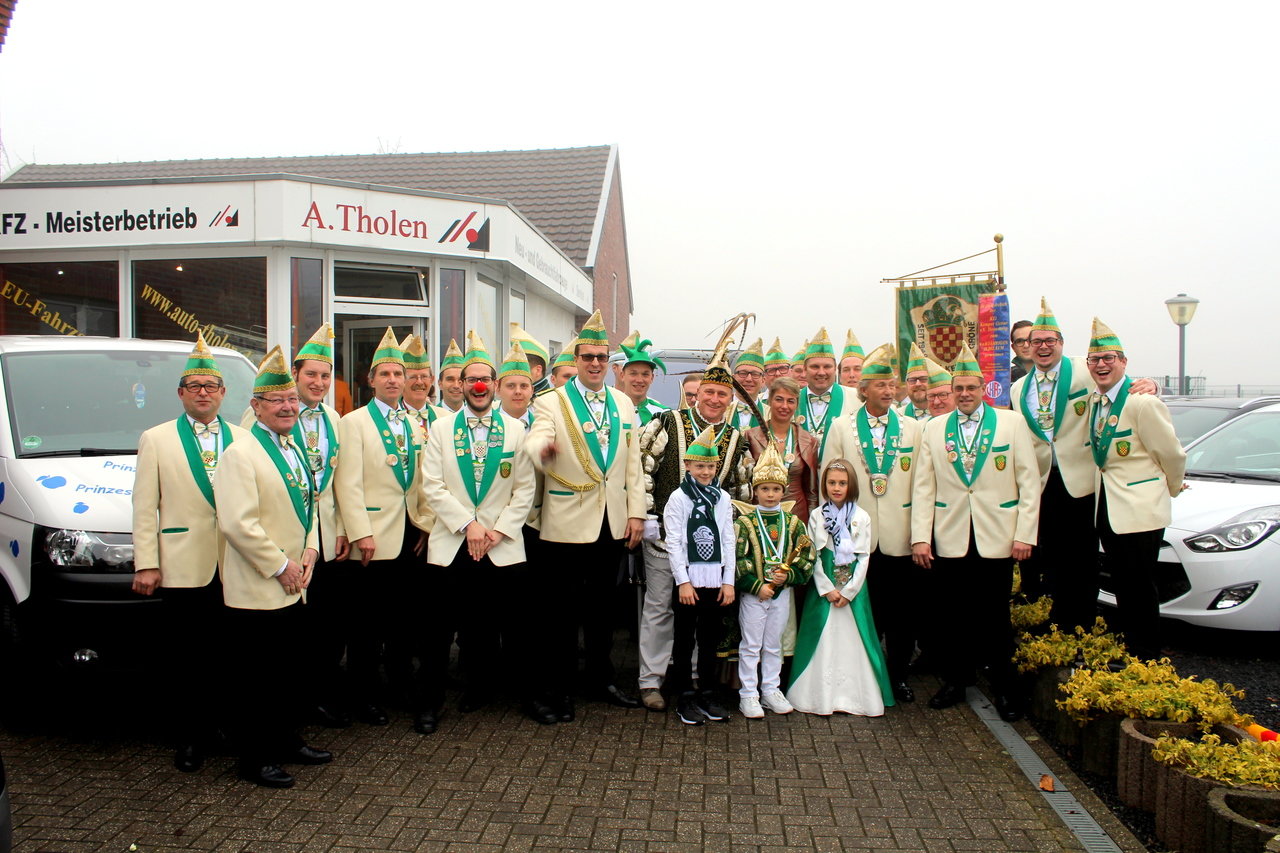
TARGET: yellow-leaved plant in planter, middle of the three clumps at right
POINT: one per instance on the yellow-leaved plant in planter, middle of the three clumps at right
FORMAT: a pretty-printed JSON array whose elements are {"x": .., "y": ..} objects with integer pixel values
[{"x": 1151, "y": 691}]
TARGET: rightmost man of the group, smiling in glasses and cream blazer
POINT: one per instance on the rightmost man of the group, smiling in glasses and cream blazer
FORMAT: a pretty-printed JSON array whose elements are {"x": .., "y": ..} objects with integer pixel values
[{"x": 1140, "y": 468}]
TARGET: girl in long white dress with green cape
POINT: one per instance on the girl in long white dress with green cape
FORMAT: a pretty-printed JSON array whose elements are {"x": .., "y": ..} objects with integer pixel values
[{"x": 839, "y": 664}]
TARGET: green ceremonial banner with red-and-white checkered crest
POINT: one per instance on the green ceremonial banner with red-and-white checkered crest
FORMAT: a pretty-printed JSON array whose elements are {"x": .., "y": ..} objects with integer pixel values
[{"x": 940, "y": 318}]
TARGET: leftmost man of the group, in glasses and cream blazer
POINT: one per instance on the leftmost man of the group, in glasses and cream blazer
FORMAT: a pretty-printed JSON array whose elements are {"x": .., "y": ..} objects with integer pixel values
[{"x": 176, "y": 549}]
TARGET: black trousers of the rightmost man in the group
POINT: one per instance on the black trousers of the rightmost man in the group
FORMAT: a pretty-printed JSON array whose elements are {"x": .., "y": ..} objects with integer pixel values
[{"x": 1132, "y": 560}]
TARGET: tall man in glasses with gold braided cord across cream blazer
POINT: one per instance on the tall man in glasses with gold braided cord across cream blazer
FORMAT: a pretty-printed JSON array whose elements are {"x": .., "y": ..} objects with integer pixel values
[{"x": 584, "y": 440}]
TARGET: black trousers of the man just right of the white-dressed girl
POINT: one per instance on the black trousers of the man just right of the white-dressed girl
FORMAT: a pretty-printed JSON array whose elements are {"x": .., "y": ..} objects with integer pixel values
[{"x": 900, "y": 606}]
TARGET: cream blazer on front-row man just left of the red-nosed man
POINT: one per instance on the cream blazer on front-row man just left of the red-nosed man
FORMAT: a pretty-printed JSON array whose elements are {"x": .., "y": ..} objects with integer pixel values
[{"x": 371, "y": 498}]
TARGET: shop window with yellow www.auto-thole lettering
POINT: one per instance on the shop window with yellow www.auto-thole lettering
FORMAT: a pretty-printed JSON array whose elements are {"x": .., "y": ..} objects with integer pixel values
[{"x": 225, "y": 298}]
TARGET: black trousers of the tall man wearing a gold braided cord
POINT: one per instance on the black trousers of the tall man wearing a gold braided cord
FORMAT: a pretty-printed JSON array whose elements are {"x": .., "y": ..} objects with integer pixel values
[{"x": 583, "y": 582}]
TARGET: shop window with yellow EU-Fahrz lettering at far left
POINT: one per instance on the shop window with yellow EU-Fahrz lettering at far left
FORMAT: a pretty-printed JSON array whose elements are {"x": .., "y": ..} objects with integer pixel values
[{"x": 61, "y": 299}]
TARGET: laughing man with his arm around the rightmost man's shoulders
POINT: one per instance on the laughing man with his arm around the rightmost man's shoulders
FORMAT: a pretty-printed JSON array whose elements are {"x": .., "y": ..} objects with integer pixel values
[{"x": 1053, "y": 400}]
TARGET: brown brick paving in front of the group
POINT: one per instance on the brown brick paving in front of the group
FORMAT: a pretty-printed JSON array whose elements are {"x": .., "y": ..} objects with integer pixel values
[{"x": 615, "y": 781}]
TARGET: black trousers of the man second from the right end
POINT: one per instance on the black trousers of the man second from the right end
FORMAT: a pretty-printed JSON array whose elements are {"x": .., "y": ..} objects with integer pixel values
[{"x": 1066, "y": 560}]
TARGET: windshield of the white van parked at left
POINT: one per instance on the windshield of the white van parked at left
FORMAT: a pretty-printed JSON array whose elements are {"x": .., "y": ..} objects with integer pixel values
[{"x": 63, "y": 403}]
